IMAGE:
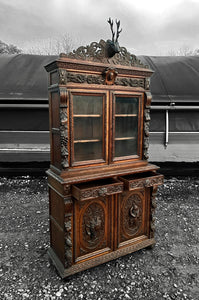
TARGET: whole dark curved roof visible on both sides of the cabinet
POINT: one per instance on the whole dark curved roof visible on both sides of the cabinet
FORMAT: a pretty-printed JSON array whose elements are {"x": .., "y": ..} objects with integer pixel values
[{"x": 23, "y": 76}]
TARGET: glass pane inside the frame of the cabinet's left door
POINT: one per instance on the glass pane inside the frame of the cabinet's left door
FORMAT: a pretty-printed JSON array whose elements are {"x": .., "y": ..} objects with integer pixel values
[{"x": 88, "y": 127}]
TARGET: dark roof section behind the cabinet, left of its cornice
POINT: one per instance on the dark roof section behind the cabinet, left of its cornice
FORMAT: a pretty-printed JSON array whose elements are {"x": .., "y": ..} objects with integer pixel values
[{"x": 23, "y": 76}]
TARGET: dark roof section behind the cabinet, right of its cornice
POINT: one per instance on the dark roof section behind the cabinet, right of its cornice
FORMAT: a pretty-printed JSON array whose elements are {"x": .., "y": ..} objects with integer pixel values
[{"x": 175, "y": 78}]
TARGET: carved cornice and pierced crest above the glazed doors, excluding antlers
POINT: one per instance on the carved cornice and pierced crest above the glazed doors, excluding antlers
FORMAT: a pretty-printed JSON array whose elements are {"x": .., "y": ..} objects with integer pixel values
[{"x": 89, "y": 65}]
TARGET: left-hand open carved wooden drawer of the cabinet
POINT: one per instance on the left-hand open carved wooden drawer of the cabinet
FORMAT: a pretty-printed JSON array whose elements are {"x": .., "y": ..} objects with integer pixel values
[{"x": 98, "y": 188}]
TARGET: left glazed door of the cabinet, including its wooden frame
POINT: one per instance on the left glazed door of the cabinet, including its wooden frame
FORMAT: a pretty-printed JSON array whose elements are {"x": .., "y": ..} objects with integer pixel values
[{"x": 88, "y": 127}]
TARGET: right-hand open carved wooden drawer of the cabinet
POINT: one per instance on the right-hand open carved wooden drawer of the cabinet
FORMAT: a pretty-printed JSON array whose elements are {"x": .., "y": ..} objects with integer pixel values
[{"x": 141, "y": 180}]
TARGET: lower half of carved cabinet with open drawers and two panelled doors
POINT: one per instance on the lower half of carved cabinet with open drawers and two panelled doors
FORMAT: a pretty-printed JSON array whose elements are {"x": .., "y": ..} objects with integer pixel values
[{"x": 94, "y": 222}]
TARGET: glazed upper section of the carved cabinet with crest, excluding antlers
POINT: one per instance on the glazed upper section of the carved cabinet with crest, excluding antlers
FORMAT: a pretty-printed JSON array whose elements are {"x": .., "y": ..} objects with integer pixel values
[{"x": 99, "y": 108}]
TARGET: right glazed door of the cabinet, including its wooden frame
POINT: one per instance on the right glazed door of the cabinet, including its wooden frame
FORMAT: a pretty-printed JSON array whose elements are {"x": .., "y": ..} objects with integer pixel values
[{"x": 126, "y": 118}]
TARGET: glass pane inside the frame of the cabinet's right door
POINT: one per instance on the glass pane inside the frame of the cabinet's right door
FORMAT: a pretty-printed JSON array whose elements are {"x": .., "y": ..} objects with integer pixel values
[{"x": 126, "y": 126}]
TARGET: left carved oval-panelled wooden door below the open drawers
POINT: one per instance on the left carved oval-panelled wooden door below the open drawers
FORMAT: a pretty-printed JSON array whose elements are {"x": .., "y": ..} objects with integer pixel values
[{"x": 93, "y": 228}]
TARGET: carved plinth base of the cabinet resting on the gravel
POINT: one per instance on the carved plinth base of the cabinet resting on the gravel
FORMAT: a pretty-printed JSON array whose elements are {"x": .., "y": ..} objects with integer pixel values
[{"x": 65, "y": 272}]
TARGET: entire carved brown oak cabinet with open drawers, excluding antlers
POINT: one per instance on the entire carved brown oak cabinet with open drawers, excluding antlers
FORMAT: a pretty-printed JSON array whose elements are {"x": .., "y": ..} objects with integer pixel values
[{"x": 101, "y": 186}]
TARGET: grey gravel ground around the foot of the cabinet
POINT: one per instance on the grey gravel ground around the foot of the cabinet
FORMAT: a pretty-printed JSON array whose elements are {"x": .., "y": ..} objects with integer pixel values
[{"x": 168, "y": 271}]
